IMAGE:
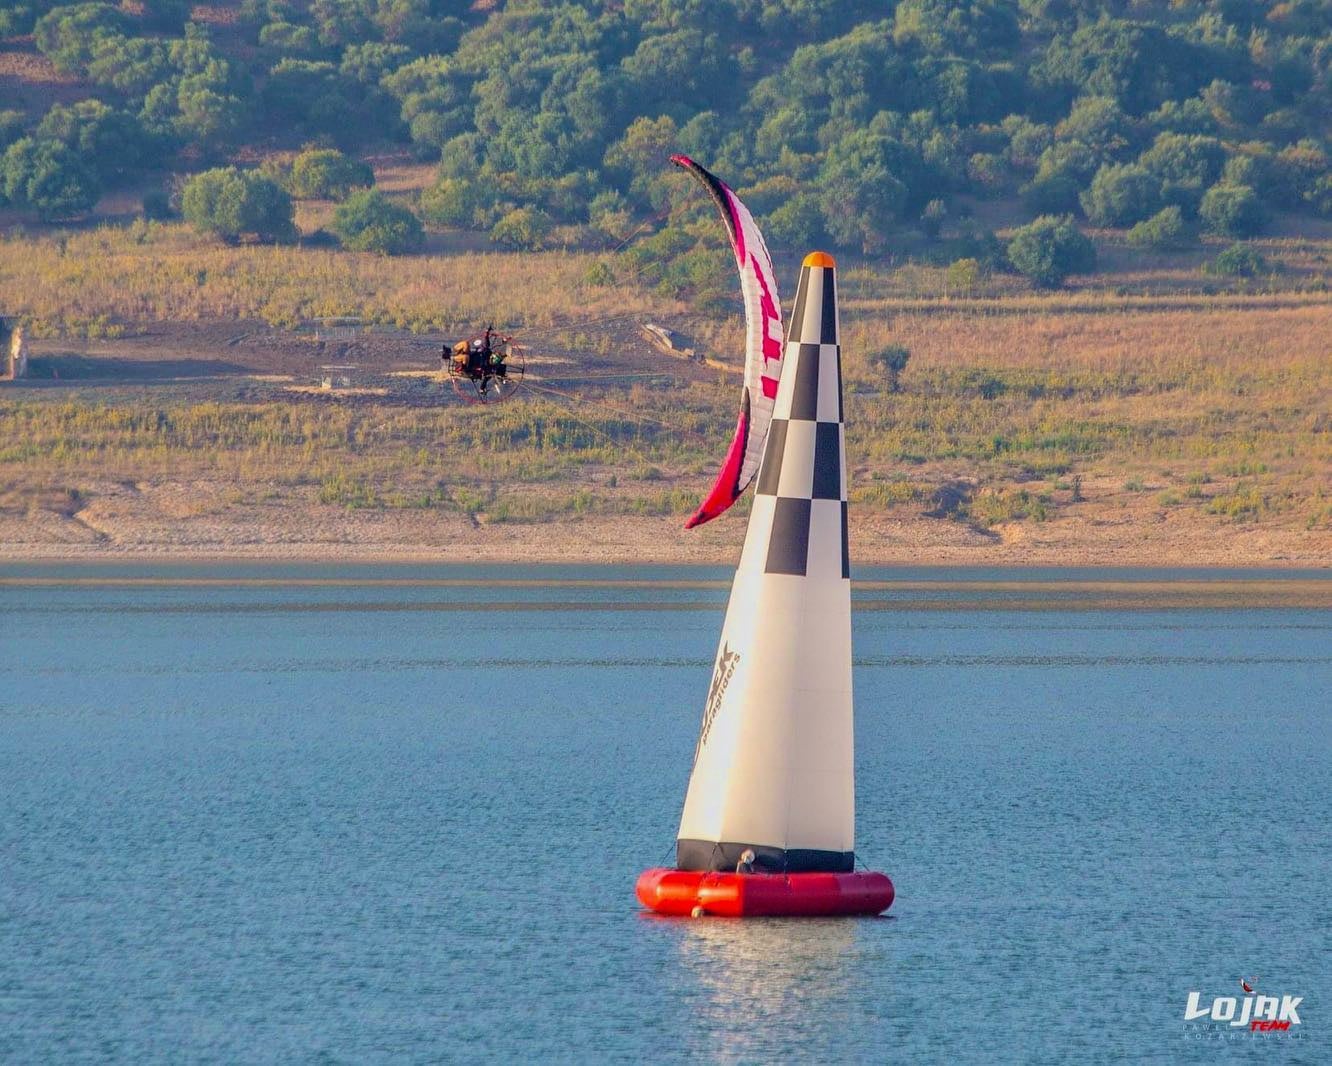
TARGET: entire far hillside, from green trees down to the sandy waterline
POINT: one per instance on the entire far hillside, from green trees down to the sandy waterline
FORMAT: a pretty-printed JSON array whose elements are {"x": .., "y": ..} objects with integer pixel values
[{"x": 1096, "y": 237}]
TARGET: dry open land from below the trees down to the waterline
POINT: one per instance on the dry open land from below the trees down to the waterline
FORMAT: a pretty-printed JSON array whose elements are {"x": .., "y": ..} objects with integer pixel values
[{"x": 1081, "y": 427}]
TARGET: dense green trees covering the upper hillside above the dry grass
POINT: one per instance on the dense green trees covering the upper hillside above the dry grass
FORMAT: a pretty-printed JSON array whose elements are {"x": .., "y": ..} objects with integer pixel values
[{"x": 850, "y": 125}]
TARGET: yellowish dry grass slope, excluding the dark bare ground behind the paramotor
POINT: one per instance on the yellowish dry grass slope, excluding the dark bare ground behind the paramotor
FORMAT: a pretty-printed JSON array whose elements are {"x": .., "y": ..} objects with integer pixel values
[{"x": 1022, "y": 419}]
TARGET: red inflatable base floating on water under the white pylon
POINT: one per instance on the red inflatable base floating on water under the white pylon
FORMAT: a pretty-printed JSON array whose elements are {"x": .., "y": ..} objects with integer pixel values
[{"x": 752, "y": 896}]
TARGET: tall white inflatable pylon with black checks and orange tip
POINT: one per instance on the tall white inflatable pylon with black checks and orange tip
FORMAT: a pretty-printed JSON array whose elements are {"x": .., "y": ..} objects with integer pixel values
[{"x": 775, "y": 766}]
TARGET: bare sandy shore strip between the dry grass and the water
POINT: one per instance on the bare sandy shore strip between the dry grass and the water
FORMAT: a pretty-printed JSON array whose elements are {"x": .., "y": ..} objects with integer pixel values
[{"x": 139, "y": 523}]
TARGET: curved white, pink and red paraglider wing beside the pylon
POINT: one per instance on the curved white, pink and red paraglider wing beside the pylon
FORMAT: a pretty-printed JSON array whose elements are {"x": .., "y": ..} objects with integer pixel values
[{"x": 764, "y": 347}]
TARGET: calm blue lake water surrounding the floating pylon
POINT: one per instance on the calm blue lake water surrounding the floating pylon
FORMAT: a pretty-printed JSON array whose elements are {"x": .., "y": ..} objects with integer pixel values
[{"x": 358, "y": 815}]
